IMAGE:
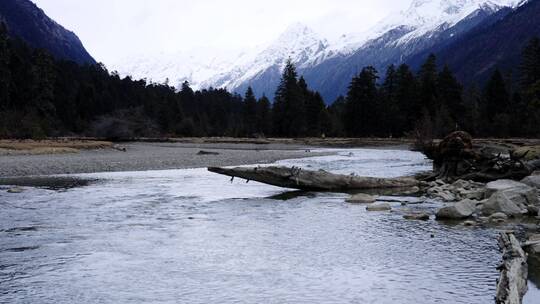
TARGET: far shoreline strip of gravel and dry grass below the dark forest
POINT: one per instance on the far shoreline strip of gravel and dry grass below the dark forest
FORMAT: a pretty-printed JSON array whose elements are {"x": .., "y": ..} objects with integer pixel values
[{"x": 89, "y": 155}]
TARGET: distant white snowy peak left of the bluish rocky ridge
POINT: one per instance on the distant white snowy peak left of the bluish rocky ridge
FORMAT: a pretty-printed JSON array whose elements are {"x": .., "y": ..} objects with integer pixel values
[{"x": 204, "y": 68}]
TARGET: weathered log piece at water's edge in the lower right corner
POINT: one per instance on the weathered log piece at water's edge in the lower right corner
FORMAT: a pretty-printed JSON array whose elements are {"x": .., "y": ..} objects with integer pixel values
[{"x": 512, "y": 283}]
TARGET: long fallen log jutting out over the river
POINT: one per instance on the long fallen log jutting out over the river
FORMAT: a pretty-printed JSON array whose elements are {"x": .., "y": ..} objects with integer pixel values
[{"x": 297, "y": 178}]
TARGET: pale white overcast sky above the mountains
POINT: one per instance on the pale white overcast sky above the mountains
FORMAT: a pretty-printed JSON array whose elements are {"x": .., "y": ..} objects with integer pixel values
[{"x": 112, "y": 29}]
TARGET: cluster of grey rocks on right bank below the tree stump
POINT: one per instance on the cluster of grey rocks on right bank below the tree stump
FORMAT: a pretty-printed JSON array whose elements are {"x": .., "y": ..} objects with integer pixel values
[{"x": 496, "y": 201}]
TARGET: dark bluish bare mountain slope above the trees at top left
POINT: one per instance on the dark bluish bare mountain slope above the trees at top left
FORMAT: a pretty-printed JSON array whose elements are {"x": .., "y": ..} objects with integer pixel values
[{"x": 28, "y": 22}]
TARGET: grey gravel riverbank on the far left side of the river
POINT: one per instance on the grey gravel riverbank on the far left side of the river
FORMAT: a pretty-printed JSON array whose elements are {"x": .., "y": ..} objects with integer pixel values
[{"x": 141, "y": 156}]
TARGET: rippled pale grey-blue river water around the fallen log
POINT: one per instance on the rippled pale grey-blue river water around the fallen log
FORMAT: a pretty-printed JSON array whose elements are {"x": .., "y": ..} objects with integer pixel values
[{"x": 189, "y": 236}]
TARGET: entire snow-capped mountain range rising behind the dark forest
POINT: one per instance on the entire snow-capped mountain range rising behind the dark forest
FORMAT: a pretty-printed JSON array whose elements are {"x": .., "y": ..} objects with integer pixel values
[{"x": 328, "y": 67}]
